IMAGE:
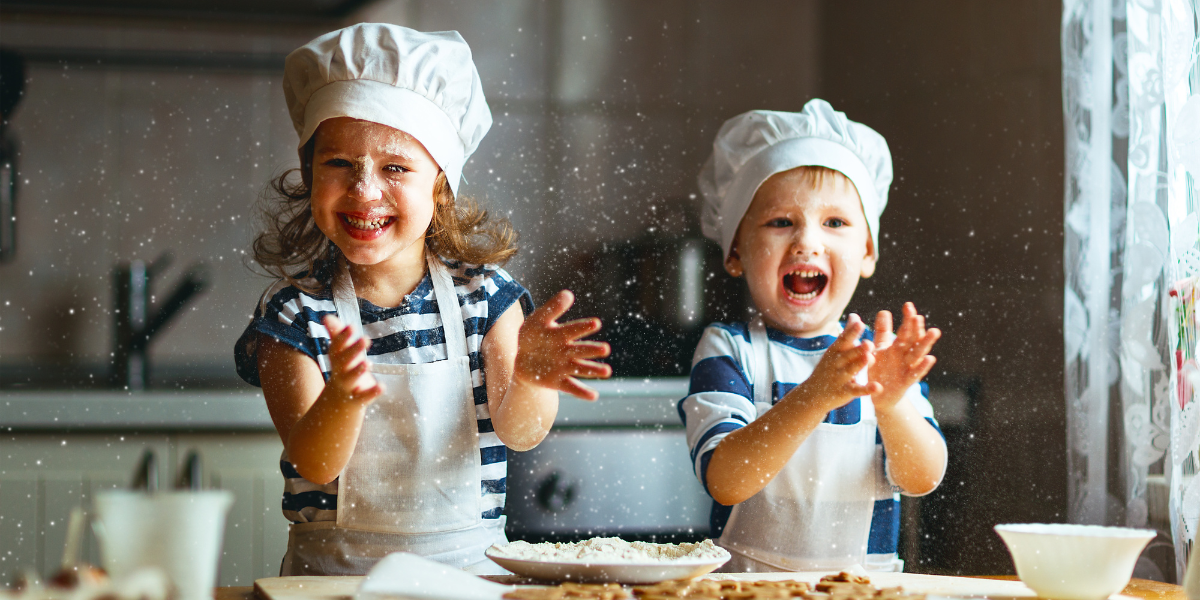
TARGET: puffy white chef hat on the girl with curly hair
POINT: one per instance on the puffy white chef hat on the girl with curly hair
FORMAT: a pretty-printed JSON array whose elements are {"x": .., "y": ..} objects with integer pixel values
[{"x": 424, "y": 85}]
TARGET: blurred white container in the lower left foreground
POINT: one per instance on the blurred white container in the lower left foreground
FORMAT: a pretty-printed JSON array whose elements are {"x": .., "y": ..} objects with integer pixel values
[{"x": 177, "y": 532}]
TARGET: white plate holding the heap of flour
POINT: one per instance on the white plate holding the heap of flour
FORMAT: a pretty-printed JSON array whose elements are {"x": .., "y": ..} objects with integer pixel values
[{"x": 610, "y": 573}]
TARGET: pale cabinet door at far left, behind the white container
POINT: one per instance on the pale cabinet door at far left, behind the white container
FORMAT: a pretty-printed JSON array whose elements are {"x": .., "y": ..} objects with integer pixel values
[{"x": 43, "y": 477}]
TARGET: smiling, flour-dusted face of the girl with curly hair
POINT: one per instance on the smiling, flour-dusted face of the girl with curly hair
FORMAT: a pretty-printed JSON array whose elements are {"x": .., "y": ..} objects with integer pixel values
[{"x": 373, "y": 190}]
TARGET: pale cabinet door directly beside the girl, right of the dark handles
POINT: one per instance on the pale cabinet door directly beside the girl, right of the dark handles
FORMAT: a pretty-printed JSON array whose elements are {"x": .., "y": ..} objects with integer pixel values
[{"x": 256, "y": 531}]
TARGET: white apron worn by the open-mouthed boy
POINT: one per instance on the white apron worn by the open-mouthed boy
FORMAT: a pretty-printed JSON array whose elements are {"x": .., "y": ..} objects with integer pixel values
[{"x": 817, "y": 514}]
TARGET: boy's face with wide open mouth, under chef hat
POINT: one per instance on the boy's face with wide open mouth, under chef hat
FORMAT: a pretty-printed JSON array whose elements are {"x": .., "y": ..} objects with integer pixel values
[{"x": 803, "y": 250}]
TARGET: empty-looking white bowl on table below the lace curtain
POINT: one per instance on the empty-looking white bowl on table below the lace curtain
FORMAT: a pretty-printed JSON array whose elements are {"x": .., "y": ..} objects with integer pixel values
[{"x": 1075, "y": 562}]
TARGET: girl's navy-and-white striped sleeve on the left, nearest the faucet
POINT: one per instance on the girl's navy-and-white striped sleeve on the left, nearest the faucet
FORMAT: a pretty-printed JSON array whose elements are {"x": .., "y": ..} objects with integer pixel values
[{"x": 287, "y": 315}]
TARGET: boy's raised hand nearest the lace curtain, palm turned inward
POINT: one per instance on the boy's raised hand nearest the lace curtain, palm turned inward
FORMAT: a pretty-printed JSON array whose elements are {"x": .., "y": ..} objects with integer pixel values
[{"x": 902, "y": 359}]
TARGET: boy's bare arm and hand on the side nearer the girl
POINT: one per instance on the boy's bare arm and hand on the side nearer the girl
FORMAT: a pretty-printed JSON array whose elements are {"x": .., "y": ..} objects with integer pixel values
[{"x": 748, "y": 459}]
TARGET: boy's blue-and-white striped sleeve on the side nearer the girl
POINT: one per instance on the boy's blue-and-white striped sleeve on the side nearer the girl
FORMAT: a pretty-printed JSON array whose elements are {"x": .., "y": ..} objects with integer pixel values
[{"x": 719, "y": 398}]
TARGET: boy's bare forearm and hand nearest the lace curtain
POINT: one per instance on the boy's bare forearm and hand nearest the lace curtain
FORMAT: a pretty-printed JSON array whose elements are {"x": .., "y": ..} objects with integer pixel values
[{"x": 916, "y": 452}]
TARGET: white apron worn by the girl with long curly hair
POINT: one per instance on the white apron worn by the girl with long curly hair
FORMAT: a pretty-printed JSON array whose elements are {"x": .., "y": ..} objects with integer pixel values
[{"x": 413, "y": 483}]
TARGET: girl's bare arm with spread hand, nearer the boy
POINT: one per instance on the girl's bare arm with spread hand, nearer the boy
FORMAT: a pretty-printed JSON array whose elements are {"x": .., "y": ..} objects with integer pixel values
[{"x": 529, "y": 362}]
